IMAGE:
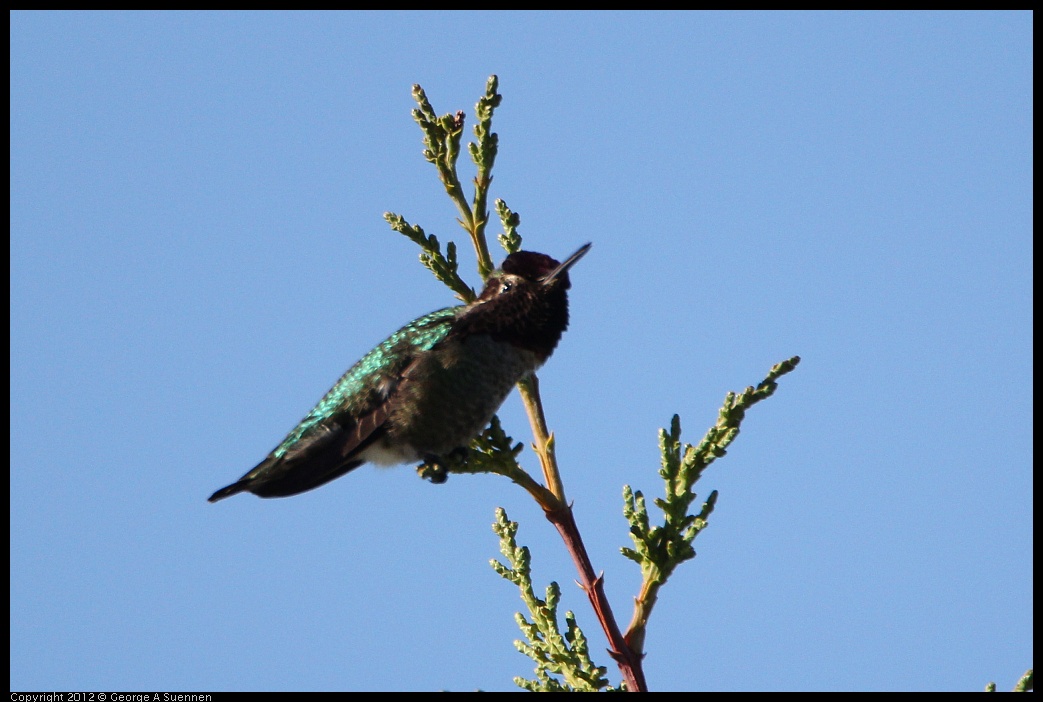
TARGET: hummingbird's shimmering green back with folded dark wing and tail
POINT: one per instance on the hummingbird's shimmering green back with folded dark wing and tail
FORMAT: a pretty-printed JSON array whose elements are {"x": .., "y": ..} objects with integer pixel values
[{"x": 352, "y": 417}]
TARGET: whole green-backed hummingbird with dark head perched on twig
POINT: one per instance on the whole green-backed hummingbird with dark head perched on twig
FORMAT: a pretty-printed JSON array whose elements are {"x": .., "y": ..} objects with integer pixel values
[{"x": 431, "y": 388}]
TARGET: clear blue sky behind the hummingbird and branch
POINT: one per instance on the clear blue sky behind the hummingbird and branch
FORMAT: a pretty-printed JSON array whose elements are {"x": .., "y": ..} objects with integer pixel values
[{"x": 199, "y": 253}]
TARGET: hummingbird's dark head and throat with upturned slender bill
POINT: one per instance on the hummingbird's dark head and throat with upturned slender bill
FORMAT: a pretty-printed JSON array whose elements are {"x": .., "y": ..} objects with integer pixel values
[{"x": 525, "y": 303}]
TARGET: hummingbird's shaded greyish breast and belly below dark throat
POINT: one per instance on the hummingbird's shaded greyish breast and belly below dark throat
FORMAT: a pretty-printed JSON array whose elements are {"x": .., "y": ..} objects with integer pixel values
[{"x": 449, "y": 396}]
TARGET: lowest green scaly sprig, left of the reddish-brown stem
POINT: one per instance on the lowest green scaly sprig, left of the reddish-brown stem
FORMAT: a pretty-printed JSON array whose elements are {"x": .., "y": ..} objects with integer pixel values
[{"x": 563, "y": 660}]
